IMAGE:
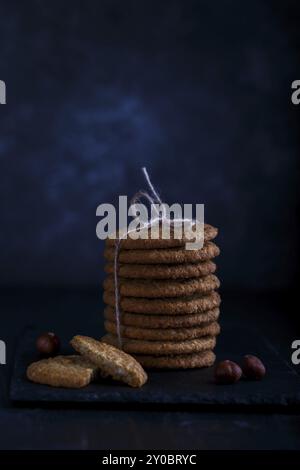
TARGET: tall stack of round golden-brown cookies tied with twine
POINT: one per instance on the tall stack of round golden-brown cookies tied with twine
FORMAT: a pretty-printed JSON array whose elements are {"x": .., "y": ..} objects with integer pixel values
[{"x": 168, "y": 300}]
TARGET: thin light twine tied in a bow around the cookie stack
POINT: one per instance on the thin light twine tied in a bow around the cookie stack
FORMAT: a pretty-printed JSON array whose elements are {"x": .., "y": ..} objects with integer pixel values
[{"x": 153, "y": 198}]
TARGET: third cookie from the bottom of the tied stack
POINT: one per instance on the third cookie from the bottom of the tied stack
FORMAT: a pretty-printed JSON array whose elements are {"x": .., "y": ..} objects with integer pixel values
[{"x": 166, "y": 334}]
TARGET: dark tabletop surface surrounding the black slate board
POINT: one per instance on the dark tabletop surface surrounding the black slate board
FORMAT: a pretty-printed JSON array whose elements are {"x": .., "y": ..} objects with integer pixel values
[{"x": 131, "y": 426}]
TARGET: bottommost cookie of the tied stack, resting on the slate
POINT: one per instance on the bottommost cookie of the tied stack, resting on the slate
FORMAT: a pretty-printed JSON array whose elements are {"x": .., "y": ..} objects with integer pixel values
[{"x": 184, "y": 361}]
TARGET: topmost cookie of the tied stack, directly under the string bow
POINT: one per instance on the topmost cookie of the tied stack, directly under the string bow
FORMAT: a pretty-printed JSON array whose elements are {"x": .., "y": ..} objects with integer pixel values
[{"x": 158, "y": 242}]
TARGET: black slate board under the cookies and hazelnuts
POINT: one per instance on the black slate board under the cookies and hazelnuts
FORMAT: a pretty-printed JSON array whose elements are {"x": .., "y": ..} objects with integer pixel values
[{"x": 281, "y": 386}]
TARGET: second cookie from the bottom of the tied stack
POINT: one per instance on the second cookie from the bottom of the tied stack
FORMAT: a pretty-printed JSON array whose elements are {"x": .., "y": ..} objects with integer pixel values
[{"x": 162, "y": 347}]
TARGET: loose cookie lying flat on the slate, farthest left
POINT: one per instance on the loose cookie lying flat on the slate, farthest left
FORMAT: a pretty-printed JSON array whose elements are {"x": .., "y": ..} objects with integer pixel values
[{"x": 62, "y": 371}]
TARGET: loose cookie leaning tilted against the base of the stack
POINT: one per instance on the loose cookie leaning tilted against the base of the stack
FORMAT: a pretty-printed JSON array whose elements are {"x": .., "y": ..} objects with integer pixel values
[{"x": 110, "y": 361}]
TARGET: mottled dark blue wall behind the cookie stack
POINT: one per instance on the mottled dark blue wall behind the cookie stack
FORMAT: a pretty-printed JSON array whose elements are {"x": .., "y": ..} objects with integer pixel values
[{"x": 197, "y": 91}]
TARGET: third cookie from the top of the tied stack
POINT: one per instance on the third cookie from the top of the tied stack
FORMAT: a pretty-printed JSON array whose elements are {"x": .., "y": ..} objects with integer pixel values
[{"x": 163, "y": 271}]
